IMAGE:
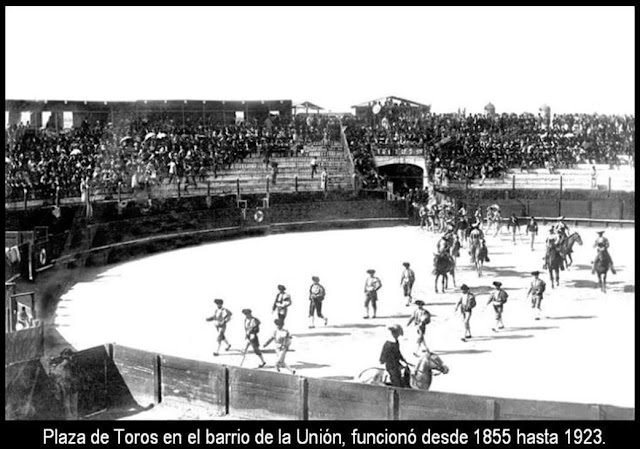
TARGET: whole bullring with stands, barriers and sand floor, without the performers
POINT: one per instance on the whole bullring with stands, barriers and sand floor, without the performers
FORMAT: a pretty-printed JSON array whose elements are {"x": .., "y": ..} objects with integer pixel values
[{"x": 108, "y": 284}]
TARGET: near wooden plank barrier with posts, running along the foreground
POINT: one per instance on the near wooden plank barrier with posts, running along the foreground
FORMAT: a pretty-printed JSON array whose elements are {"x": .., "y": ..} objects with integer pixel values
[{"x": 116, "y": 378}]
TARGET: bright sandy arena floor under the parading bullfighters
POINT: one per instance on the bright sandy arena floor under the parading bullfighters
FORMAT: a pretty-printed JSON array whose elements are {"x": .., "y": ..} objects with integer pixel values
[{"x": 582, "y": 350}]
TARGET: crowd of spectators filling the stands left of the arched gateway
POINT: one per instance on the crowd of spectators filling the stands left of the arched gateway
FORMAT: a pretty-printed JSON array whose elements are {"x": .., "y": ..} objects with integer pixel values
[{"x": 137, "y": 153}]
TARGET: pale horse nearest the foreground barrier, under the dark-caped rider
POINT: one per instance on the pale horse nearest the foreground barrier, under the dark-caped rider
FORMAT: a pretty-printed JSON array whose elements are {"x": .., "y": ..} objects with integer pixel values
[{"x": 420, "y": 378}]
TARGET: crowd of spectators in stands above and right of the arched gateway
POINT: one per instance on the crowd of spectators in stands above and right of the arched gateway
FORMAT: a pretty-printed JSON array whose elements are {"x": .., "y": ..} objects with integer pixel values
[{"x": 467, "y": 147}]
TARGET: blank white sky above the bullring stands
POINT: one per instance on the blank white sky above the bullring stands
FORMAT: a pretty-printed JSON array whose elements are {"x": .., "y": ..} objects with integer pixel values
[{"x": 575, "y": 59}]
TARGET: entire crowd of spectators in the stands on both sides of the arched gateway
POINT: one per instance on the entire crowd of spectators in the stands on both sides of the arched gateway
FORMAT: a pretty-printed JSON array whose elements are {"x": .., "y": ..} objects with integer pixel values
[{"x": 147, "y": 151}]
